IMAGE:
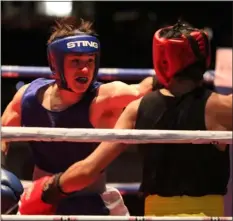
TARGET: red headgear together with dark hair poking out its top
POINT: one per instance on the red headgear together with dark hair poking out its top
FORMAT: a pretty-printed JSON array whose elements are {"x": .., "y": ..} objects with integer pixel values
[{"x": 179, "y": 49}]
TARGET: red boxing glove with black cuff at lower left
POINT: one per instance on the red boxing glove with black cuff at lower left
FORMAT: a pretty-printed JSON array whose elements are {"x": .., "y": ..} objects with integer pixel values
[{"x": 42, "y": 197}]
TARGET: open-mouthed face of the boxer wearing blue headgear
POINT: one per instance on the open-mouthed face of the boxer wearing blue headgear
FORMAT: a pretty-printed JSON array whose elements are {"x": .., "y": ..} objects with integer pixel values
[{"x": 79, "y": 70}]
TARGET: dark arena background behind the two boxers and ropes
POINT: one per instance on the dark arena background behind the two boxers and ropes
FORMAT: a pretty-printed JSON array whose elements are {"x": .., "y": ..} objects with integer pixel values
[{"x": 125, "y": 31}]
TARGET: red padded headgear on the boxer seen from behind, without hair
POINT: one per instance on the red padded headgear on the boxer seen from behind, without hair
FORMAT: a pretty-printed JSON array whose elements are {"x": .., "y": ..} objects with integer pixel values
[{"x": 172, "y": 55}]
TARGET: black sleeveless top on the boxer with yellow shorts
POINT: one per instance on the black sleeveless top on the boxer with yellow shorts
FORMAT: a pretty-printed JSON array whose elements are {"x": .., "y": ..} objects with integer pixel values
[{"x": 180, "y": 169}]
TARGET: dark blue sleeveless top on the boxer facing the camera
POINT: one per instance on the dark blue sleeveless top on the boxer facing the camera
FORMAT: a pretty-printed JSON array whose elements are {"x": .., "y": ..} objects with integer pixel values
[{"x": 55, "y": 157}]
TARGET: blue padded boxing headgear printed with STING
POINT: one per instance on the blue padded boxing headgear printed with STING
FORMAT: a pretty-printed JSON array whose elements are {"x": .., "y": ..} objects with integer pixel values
[{"x": 81, "y": 44}]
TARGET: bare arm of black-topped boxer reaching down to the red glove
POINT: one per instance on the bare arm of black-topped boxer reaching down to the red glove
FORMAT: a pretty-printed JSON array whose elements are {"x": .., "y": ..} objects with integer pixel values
[{"x": 82, "y": 173}]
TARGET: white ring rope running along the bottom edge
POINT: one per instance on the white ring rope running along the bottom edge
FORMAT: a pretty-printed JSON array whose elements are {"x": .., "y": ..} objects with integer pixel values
[{"x": 104, "y": 218}]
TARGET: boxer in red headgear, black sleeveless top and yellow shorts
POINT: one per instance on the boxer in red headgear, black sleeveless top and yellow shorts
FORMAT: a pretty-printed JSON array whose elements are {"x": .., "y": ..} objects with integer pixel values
[{"x": 178, "y": 179}]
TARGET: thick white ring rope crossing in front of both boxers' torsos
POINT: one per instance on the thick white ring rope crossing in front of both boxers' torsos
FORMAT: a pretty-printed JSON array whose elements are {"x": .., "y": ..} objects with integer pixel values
[{"x": 113, "y": 135}]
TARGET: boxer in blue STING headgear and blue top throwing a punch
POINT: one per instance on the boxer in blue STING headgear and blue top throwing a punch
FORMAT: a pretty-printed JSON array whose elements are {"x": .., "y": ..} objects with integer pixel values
[{"x": 73, "y": 99}]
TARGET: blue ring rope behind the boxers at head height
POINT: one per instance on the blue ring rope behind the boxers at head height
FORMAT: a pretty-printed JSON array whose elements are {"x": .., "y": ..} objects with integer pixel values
[{"x": 110, "y": 74}]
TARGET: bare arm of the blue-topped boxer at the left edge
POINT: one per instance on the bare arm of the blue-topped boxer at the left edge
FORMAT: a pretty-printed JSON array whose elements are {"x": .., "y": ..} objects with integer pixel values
[{"x": 12, "y": 114}]
